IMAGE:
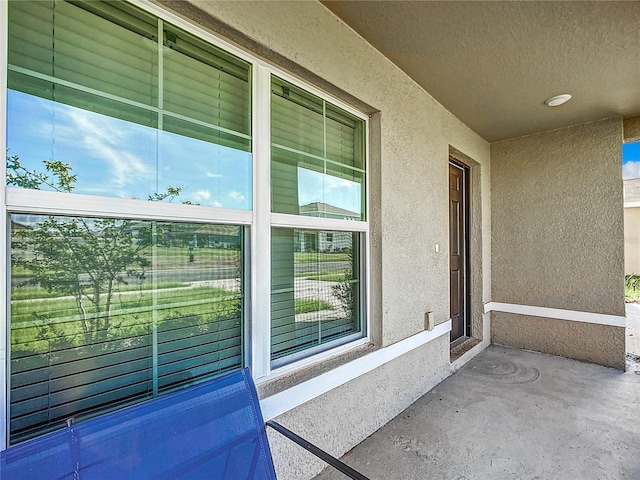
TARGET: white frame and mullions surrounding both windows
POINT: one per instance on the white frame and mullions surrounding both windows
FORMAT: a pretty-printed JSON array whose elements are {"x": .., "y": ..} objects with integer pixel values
[{"x": 259, "y": 220}]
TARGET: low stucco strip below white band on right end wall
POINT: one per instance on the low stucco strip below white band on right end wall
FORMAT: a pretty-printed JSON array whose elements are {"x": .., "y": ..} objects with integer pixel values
[{"x": 581, "y": 341}]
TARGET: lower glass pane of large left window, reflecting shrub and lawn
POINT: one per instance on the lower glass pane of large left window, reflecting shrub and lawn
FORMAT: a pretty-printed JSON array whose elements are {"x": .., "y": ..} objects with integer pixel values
[{"x": 107, "y": 312}]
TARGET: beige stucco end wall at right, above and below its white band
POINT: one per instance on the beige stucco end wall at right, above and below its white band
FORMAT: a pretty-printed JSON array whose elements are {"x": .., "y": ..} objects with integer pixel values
[{"x": 557, "y": 238}]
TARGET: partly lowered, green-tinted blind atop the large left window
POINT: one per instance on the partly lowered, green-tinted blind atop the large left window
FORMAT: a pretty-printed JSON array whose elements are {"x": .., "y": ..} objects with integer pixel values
[{"x": 111, "y": 48}]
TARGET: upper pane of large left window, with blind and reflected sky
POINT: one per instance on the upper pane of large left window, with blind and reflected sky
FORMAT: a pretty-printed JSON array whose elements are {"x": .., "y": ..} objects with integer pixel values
[{"x": 106, "y": 81}]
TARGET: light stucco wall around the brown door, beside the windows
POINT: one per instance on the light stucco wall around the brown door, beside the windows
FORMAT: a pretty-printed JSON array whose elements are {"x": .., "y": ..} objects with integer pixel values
[{"x": 409, "y": 147}]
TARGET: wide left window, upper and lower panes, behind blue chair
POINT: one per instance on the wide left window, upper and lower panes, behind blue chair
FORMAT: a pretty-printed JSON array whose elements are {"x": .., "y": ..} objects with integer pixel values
[{"x": 106, "y": 310}]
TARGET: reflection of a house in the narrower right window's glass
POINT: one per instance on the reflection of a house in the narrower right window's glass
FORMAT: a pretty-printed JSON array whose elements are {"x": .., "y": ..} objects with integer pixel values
[{"x": 321, "y": 241}]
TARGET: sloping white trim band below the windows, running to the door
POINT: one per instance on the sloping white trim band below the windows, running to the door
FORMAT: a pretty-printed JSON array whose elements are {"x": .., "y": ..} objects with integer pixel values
[{"x": 293, "y": 397}]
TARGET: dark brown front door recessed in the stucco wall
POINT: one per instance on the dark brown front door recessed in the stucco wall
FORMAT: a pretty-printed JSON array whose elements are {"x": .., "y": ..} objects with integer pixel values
[{"x": 458, "y": 218}]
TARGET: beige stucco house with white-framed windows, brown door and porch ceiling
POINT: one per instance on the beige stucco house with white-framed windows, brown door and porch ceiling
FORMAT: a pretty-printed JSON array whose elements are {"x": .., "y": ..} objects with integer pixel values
[{"x": 486, "y": 217}]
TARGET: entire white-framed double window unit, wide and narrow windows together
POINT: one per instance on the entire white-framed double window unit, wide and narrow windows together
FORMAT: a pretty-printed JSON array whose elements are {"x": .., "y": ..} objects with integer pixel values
[{"x": 132, "y": 163}]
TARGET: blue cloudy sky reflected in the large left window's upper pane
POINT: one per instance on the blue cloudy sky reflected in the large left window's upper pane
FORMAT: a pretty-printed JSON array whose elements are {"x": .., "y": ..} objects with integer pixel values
[{"x": 116, "y": 158}]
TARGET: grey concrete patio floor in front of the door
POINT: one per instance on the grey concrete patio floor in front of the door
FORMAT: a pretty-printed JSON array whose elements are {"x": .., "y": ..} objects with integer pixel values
[{"x": 512, "y": 414}]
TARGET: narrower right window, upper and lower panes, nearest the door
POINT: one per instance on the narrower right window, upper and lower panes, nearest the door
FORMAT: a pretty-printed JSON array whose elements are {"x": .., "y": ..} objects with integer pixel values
[{"x": 317, "y": 170}]
